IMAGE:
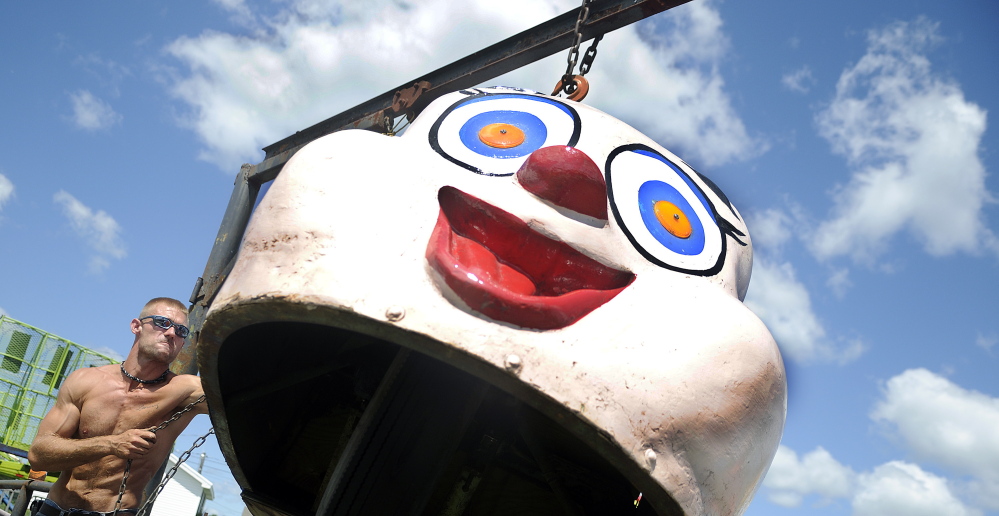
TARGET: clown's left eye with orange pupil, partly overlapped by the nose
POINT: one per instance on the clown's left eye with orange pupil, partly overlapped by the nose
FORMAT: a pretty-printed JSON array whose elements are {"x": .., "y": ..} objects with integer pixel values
[{"x": 492, "y": 134}]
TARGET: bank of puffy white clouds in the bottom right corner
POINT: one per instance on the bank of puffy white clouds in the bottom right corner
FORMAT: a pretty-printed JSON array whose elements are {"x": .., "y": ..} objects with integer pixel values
[{"x": 935, "y": 420}]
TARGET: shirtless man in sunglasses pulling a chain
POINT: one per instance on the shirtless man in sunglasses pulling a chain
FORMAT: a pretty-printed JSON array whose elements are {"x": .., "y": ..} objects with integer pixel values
[{"x": 102, "y": 418}]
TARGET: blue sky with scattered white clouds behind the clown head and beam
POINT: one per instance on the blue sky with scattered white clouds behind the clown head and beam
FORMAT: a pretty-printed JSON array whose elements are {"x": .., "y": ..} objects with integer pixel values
[{"x": 855, "y": 137}]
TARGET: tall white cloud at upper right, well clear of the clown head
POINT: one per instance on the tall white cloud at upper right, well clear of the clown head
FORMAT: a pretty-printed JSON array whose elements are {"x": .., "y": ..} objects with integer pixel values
[{"x": 913, "y": 142}]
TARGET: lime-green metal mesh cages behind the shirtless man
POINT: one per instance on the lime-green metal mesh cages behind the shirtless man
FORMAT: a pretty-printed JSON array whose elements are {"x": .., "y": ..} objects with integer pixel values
[{"x": 33, "y": 364}]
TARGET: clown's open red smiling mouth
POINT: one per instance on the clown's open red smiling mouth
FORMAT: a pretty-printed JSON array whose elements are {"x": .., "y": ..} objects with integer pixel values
[{"x": 507, "y": 271}]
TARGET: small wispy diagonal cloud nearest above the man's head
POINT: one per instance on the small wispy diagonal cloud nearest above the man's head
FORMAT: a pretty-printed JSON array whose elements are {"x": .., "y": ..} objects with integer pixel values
[{"x": 98, "y": 230}]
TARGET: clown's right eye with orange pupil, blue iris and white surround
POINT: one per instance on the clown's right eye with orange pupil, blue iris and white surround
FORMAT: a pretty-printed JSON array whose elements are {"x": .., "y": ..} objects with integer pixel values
[{"x": 663, "y": 211}]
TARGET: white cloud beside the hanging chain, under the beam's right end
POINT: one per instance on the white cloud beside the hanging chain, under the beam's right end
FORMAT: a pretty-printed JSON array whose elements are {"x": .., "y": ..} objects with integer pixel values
[{"x": 671, "y": 62}]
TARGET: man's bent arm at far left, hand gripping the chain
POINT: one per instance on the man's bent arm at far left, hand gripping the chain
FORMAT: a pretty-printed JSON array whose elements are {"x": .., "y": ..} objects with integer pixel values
[{"x": 55, "y": 448}]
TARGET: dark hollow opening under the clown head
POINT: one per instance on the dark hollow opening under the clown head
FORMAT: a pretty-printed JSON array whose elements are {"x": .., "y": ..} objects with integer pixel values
[{"x": 341, "y": 423}]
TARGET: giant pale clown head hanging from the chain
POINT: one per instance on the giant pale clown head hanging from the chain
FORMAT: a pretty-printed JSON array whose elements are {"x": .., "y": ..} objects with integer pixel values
[{"x": 559, "y": 258}]
